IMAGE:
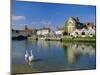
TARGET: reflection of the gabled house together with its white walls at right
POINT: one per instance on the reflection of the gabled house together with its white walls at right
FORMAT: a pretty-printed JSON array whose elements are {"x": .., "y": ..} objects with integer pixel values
[{"x": 73, "y": 51}]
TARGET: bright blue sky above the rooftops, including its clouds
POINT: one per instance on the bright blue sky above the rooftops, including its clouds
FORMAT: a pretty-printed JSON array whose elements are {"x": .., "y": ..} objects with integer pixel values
[{"x": 37, "y": 15}]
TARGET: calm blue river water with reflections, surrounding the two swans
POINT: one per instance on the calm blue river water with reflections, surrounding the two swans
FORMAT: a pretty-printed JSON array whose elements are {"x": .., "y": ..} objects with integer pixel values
[{"x": 52, "y": 56}]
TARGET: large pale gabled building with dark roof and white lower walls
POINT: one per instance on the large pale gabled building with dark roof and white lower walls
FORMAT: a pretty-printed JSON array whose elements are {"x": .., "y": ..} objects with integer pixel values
[{"x": 75, "y": 28}]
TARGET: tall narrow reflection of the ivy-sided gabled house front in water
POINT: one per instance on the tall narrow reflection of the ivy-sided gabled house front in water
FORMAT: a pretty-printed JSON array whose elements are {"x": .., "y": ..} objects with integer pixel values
[{"x": 70, "y": 54}]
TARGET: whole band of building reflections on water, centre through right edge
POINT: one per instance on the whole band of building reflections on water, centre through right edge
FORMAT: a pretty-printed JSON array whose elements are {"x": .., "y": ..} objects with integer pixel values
[{"x": 72, "y": 51}]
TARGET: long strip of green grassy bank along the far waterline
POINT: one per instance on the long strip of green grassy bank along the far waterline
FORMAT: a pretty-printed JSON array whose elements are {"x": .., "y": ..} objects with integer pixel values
[{"x": 67, "y": 39}]
